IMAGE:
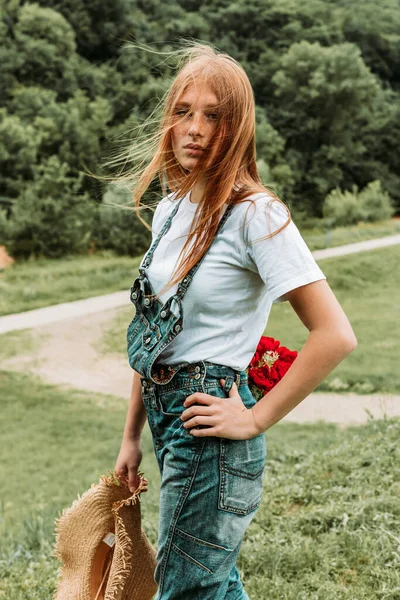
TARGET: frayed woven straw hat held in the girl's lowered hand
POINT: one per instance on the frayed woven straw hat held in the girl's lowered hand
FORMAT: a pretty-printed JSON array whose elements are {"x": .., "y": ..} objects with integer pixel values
[{"x": 104, "y": 552}]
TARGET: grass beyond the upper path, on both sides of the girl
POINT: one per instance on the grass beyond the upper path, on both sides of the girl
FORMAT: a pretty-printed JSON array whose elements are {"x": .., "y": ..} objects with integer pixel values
[{"x": 36, "y": 283}]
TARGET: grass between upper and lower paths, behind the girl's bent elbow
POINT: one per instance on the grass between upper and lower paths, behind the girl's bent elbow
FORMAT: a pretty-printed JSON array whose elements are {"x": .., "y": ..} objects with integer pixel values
[{"x": 367, "y": 286}]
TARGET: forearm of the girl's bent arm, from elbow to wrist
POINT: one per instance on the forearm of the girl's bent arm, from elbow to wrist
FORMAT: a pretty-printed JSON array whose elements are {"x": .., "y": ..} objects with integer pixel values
[{"x": 319, "y": 356}]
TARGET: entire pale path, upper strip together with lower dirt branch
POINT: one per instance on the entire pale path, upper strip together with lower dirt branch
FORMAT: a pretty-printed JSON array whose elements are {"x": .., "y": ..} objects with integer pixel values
[{"x": 67, "y": 336}]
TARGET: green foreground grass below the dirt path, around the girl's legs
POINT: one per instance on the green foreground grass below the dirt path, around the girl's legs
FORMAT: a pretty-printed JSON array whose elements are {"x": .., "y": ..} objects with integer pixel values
[{"x": 328, "y": 527}]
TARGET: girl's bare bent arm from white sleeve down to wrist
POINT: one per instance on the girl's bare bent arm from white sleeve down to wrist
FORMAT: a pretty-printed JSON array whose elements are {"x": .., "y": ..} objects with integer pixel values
[{"x": 330, "y": 340}]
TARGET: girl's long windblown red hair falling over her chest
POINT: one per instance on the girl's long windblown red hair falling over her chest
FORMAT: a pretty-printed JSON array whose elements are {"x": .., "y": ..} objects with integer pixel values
[{"x": 229, "y": 164}]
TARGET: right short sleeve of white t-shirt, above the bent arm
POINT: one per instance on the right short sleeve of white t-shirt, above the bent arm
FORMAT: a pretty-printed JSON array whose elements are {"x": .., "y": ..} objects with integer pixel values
[{"x": 283, "y": 261}]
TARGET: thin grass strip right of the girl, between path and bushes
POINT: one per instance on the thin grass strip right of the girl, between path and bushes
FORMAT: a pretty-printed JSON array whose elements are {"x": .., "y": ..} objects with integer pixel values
[{"x": 317, "y": 239}]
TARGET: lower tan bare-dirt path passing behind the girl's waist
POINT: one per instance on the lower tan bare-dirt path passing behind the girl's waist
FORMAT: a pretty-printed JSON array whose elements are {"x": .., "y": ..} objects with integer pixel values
[{"x": 68, "y": 355}]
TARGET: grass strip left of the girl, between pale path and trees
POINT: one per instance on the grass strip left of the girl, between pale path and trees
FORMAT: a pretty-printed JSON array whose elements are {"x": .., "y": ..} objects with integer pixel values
[{"x": 37, "y": 283}]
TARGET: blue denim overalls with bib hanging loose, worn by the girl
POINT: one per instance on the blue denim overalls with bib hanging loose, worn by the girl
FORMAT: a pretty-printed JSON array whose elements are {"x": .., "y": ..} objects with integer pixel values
[{"x": 211, "y": 487}]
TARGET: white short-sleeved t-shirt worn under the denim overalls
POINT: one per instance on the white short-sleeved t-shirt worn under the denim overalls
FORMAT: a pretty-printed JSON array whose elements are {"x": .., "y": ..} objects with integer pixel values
[{"x": 228, "y": 302}]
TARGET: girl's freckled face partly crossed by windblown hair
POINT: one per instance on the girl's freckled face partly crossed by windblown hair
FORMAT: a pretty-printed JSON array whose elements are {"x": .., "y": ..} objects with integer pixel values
[{"x": 196, "y": 110}]
